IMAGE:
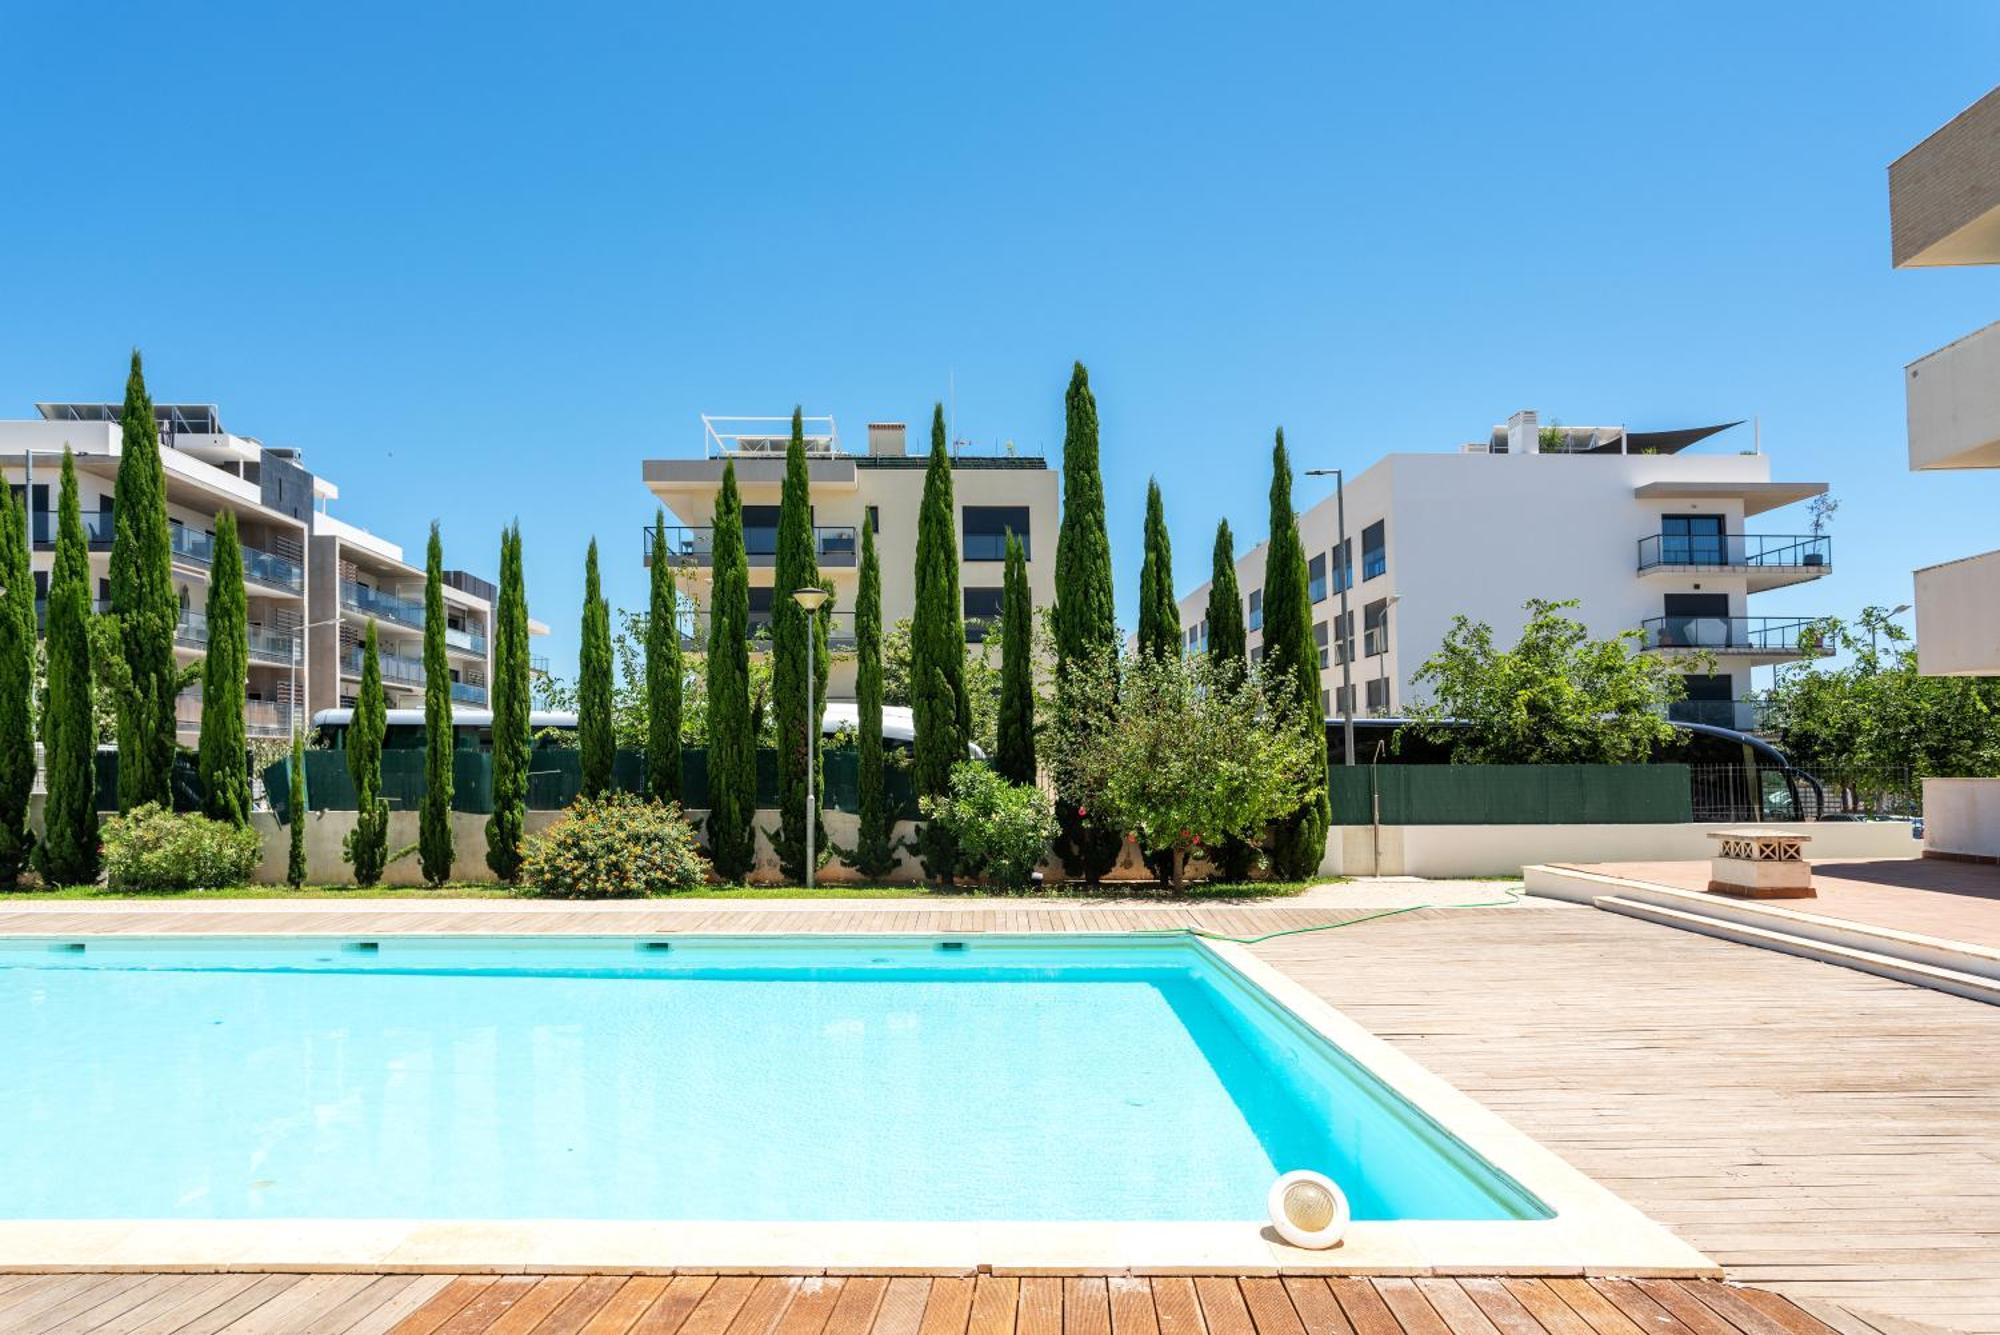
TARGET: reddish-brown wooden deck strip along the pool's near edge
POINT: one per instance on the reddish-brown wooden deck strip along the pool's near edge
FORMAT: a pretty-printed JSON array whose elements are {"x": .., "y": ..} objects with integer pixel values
[{"x": 883, "y": 1306}]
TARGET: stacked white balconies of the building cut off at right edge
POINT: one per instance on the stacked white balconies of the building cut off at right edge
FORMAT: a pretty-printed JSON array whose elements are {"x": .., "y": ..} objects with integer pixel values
[{"x": 1945, "y": 209}]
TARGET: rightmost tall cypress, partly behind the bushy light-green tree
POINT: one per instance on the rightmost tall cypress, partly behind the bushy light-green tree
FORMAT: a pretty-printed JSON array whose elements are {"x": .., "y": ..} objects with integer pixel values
[{"x": 1293, "y": 667}]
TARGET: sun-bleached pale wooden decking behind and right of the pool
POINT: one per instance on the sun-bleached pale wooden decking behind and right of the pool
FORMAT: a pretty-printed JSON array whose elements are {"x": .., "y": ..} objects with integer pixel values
[{"x": 1819, "y": 1132}]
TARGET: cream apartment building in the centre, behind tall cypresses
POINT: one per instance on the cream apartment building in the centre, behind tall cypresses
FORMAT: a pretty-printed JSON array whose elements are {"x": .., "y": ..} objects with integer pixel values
[{"x": 879, "y": 487}]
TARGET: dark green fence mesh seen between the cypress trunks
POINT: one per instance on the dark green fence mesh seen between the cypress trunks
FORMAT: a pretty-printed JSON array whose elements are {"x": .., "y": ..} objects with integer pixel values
[{"x": 555, "y": 776}]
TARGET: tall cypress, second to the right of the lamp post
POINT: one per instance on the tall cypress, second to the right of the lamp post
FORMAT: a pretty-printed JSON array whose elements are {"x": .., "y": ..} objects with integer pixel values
[{"x": 939, "y": 702}]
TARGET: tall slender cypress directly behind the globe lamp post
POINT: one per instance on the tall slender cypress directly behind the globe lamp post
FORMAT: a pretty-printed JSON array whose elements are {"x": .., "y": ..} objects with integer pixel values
[{"x": 799, "y": 647}]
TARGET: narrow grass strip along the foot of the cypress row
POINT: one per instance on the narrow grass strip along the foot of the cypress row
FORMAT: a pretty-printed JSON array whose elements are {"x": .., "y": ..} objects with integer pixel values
[{"x": 1223, "y": 892}]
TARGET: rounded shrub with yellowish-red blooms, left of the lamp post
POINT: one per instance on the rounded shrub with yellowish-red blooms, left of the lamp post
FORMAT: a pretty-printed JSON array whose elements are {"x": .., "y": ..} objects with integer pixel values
[{"x": 615, "y": 846}]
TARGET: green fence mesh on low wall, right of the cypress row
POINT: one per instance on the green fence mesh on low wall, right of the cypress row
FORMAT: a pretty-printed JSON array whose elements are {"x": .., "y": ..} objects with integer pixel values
[{"x": 1513, "y": 794}]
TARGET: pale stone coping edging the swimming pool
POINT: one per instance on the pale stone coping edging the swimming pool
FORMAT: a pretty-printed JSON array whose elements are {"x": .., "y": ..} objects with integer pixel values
[{"x": 1591, "y": 1234}]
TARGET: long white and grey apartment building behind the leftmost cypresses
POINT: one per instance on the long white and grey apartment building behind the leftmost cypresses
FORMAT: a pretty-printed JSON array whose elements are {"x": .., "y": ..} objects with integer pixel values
[{"x": 311, "y": 581}]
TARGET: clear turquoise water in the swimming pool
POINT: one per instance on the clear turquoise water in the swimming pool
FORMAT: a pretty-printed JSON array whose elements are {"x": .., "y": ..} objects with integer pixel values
[{"x": 757, "y": 1078}]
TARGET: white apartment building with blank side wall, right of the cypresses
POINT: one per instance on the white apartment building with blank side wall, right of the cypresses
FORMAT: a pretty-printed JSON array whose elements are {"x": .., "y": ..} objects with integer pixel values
[{"x": 1645, "y": 533}]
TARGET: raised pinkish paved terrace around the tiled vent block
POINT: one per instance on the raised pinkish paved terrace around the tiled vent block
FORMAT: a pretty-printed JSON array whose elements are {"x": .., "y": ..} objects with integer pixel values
[{"x": 1929, "y": 896}]
